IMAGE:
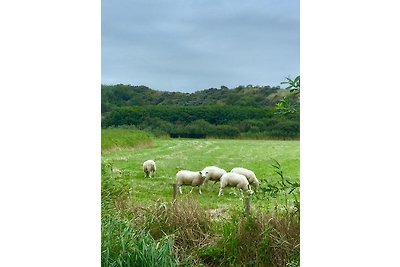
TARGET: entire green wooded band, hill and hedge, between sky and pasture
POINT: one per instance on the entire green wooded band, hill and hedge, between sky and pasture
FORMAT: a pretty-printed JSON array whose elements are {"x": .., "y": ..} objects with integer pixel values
[{"x": 245, "y": 111}]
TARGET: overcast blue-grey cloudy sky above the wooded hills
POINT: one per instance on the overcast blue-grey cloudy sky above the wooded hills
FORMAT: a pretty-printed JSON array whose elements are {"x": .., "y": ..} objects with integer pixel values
[{"x": 188, "y": 45}]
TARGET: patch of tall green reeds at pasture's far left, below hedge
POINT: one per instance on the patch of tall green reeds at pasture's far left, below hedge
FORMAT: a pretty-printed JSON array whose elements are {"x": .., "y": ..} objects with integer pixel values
[{"x": 114, "y": 138}]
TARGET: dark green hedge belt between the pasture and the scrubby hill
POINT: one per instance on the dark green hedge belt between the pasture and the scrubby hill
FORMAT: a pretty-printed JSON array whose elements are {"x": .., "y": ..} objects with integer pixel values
[{"x": 206, "y": 121}]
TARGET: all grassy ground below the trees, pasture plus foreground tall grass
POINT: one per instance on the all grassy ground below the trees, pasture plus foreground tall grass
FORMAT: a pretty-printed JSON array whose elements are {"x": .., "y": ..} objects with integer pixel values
[{"x": 141, "y": 226}]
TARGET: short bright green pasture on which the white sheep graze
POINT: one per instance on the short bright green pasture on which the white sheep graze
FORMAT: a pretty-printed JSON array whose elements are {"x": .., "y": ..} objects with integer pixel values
[{"x": 172, "y": 155}]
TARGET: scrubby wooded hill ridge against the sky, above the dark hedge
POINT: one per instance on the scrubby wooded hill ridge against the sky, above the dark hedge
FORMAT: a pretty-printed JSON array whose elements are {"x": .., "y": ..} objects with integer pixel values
[{"x": 120, "y": 95}]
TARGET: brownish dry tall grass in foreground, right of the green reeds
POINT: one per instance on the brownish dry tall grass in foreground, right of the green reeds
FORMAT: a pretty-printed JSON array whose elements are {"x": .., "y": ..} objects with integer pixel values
[{"x": 263, "y": 238}]
